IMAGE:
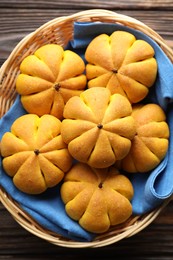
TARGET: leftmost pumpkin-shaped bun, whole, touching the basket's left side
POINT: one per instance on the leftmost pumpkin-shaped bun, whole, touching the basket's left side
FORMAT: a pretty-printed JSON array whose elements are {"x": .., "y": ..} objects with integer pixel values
[{"x": 34, "y": 154}]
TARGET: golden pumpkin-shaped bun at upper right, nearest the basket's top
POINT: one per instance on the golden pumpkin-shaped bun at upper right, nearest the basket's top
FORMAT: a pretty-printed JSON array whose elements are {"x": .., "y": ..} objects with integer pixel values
[{"x": 122, "y": 64}]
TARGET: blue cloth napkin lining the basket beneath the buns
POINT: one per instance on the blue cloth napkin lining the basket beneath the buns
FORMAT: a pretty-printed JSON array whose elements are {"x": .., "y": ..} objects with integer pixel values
[{"x": 151, "y": 189}]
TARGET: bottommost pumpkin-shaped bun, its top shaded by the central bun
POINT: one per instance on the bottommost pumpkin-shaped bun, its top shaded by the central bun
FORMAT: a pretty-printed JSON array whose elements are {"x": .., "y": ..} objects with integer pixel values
[{"x": 97, "y": 198}]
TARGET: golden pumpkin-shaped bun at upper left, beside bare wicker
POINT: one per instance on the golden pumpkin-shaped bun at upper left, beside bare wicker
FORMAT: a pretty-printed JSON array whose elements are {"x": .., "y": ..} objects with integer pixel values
[{"x": 48, "y": 78}]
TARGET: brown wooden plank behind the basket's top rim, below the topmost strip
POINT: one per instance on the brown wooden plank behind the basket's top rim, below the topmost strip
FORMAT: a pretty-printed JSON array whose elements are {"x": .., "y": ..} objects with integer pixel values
[{"x": 16, "y": 25}]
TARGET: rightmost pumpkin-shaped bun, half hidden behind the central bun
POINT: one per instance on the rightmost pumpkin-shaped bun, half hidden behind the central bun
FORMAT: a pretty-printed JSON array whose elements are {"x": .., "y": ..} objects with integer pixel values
[{"x": 150, "y": 144}]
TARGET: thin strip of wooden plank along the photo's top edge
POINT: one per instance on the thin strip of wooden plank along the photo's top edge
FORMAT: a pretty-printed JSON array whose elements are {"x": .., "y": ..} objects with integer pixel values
[{"x": 78, "y": 4}]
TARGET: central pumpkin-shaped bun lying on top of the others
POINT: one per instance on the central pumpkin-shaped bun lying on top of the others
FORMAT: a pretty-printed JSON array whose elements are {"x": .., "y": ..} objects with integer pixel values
[{"x": 98, "y": 127}]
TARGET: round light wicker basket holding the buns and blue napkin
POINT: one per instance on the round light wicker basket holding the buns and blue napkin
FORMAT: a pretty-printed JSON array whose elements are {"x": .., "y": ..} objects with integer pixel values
[{"x": 60, "y": 30}]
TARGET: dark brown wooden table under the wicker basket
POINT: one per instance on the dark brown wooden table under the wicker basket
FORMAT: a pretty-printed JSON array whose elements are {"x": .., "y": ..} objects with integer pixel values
[{"x": 17, "y": 19}]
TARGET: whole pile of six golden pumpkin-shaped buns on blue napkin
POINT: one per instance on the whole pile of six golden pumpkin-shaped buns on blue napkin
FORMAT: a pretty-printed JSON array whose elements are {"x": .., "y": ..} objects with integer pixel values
[{"x": 80, "y": 126}]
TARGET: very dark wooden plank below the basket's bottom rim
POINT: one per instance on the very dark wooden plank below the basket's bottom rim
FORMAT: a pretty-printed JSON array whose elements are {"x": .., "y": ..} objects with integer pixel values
[{"x": 147, "y": 244}]
